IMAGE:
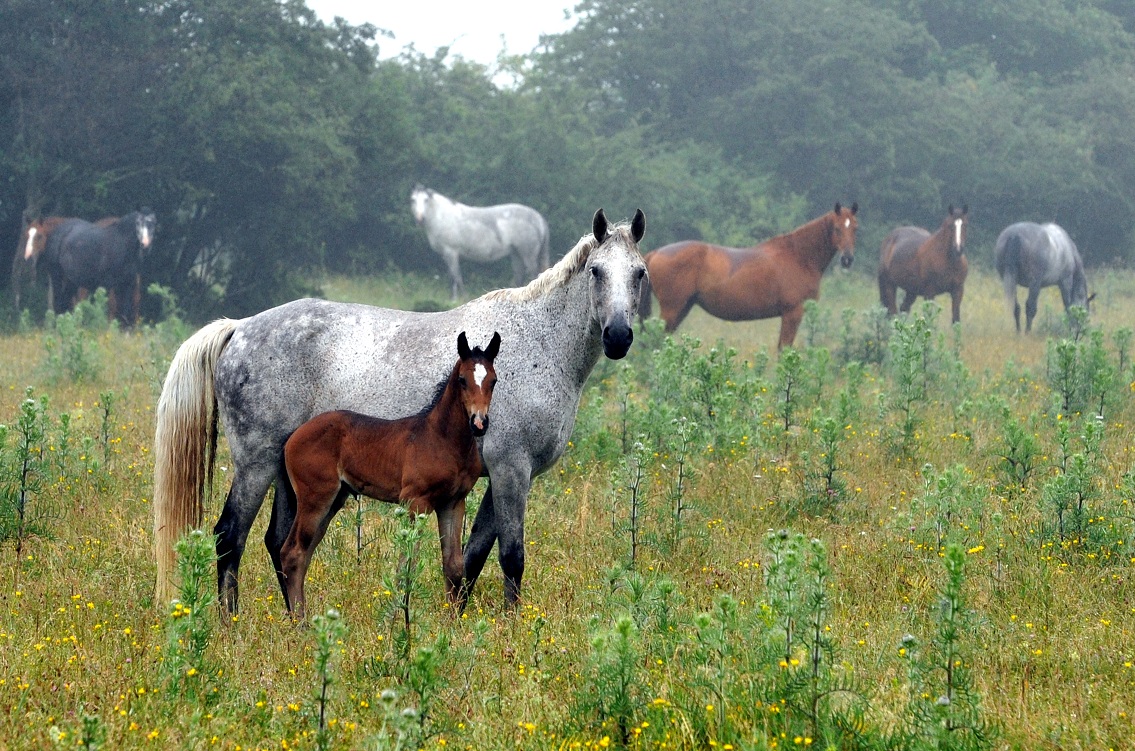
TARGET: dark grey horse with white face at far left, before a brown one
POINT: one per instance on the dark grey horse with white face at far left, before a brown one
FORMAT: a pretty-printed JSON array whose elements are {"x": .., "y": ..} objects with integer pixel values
[{"x": 85, "y": 256}]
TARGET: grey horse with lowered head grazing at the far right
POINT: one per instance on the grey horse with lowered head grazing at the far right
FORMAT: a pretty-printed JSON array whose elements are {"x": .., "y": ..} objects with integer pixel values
[{"x": 1039, "y": 256}]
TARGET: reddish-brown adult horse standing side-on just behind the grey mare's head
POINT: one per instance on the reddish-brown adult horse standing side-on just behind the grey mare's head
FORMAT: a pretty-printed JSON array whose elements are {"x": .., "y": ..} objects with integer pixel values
[{"x": 772, "y": 280}]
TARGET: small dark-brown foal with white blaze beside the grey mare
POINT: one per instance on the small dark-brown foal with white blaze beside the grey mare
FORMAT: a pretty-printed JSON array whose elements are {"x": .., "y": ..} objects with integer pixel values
[{"x": 428, "y": 462}]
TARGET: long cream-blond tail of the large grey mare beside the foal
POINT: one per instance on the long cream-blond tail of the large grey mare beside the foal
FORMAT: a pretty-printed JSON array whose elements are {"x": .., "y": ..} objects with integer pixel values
[{"x": 186, "y": 445}]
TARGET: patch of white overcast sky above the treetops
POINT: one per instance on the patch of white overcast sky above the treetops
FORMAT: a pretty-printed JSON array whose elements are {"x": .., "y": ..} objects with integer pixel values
[{"x": 473, "y": 29}]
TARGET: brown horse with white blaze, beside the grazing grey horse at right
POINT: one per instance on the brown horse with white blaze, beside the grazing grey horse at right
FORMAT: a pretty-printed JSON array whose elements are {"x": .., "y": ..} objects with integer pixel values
[{"x": 926, "y": 265}]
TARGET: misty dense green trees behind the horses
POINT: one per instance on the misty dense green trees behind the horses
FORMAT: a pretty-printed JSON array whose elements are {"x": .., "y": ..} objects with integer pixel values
[{"x": 272, "y": 144}]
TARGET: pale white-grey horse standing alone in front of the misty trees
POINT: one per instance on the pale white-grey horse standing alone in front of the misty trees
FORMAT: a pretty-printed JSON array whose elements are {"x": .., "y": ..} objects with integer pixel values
[{"x": 483, "y": 234}]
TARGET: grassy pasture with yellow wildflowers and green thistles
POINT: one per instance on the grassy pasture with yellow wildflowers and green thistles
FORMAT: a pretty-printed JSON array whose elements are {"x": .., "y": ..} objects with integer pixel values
[{"x": 737, "y": 552}]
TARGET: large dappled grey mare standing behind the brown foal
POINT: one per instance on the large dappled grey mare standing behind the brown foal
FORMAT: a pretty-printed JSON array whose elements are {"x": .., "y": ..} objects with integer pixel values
[{"x": 265, "y": 376}]
